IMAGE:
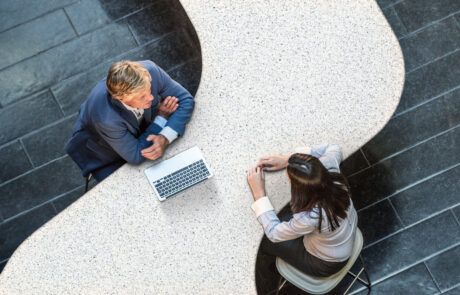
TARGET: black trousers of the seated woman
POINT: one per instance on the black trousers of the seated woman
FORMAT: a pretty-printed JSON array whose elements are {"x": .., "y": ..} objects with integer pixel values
[{"x": 294, "y": 253}]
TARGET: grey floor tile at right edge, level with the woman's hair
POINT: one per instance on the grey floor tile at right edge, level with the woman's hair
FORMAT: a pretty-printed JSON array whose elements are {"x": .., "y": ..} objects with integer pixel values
[{"x": 429, "y": 197}]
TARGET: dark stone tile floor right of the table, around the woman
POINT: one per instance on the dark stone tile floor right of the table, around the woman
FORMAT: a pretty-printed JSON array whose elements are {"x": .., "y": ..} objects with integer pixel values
[{"x": 405, "y": 180}]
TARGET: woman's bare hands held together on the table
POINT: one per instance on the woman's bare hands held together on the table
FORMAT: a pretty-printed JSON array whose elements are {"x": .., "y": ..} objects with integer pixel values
[{"x": 256, "y": 178}]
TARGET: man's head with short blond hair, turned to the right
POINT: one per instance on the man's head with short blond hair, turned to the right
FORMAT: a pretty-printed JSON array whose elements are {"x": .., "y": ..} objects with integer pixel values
[{"x": 129, "y": 82}]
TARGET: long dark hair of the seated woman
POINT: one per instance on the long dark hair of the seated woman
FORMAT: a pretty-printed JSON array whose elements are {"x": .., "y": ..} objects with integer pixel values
[{"x": 312, "y": 185}]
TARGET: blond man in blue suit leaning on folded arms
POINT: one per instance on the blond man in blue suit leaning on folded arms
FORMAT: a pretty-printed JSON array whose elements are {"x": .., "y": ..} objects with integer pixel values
[{"x": 122, "y": 120}]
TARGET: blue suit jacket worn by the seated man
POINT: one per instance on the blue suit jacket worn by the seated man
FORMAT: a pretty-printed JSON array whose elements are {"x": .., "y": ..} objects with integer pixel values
[{"x": 106, "y": 134}]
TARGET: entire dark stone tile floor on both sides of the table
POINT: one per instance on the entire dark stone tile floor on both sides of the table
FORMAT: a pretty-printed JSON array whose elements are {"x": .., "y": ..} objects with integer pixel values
[{"x": 404, "y": 180}]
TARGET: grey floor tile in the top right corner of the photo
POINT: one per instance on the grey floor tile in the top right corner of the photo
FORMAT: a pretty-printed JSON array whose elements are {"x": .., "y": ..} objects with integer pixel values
[{"x": 417, "y": 13}]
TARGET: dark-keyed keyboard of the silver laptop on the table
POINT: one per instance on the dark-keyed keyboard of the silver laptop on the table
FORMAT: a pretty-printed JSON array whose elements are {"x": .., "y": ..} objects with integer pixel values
[{"x": 182, "y": 179}]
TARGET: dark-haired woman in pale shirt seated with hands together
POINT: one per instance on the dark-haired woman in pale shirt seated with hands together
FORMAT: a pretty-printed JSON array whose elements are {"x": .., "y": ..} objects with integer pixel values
[{"x": 317, "y": 235}]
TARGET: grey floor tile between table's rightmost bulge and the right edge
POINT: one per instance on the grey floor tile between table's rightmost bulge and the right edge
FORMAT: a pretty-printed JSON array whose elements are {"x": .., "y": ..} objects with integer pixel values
[{"x": 430, "y": 81}]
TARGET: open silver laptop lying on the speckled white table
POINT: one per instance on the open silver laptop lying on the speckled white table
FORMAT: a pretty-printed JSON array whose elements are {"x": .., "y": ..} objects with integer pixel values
[{"x": 178, "y": 173}]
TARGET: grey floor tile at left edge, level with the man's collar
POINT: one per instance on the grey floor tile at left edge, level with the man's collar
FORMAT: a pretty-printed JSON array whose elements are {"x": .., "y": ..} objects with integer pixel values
[{"x": 28, "y": 115}]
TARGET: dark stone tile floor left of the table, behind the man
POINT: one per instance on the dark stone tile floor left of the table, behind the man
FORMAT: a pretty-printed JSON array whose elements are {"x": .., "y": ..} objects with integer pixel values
[{"x": 52, "y": 54}]
